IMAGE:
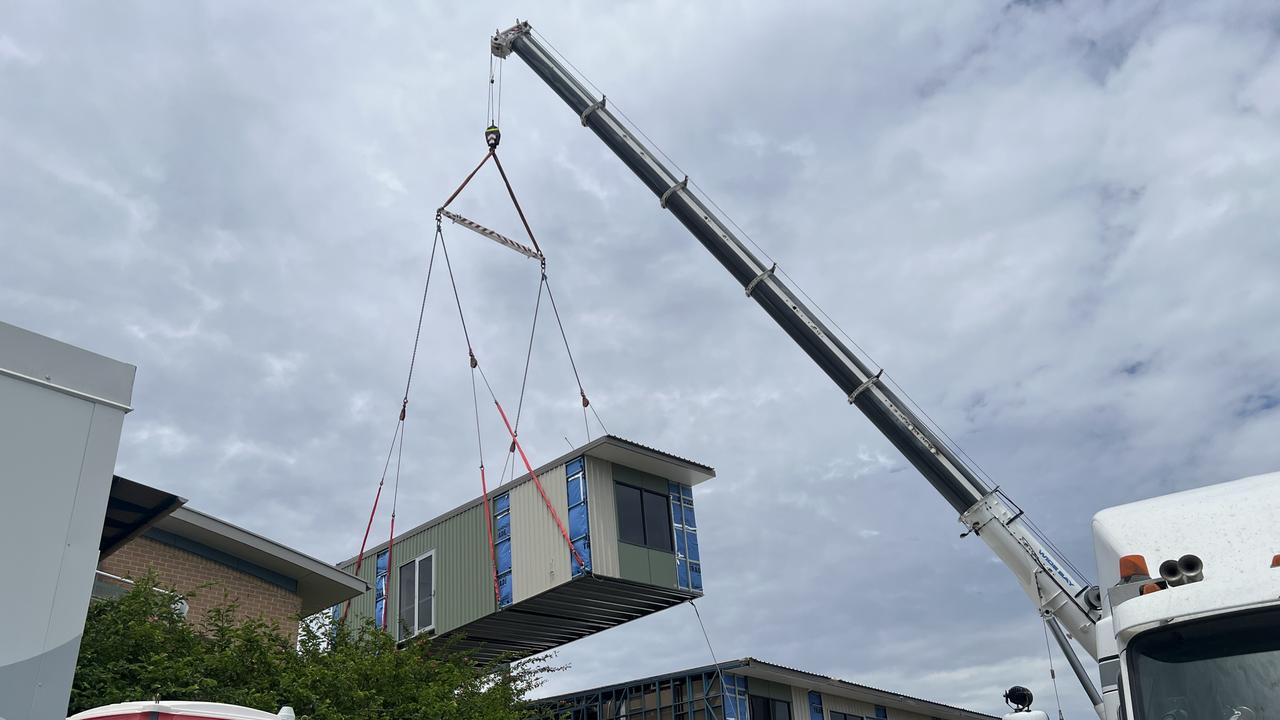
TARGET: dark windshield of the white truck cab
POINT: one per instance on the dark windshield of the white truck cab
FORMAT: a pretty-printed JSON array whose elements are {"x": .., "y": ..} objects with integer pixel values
[{"x": 1219, "y": 669}]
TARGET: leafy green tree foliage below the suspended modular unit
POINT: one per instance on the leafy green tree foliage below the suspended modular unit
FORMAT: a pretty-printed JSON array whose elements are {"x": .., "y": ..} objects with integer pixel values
[{"x": 140, "y": 648}]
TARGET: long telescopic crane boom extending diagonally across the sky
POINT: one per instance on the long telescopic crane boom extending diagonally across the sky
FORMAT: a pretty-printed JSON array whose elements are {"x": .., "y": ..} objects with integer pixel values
[{"x": 984, "y": 511}]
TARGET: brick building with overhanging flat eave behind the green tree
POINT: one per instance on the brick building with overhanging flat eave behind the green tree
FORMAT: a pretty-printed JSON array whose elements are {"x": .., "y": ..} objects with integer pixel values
[{"x": 212, "y": 563}]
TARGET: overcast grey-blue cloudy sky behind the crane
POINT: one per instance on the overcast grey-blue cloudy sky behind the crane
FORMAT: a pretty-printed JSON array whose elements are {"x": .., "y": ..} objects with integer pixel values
[{"x": 1054, "y": 224}]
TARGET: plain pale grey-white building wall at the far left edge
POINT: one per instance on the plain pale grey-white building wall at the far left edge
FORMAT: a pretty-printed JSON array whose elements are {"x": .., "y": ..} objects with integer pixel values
[{"x": 62, "y": 411}]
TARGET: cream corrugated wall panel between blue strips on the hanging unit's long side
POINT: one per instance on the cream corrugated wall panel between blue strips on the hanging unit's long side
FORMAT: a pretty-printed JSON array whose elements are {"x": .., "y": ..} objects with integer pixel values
[{"x": 540, "y": 555}]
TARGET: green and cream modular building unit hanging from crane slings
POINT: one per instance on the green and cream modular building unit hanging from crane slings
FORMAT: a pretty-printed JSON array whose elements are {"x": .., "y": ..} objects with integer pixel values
[{"x": 629, "y": 512}]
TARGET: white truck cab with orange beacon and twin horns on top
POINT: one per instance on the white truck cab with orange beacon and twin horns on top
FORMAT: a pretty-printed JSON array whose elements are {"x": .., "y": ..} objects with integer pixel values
[{"x": 1192, "y": 598}]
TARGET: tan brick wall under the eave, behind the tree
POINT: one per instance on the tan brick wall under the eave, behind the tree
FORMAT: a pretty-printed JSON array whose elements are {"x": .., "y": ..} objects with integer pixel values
[{"x": 205, "y": 584}]
